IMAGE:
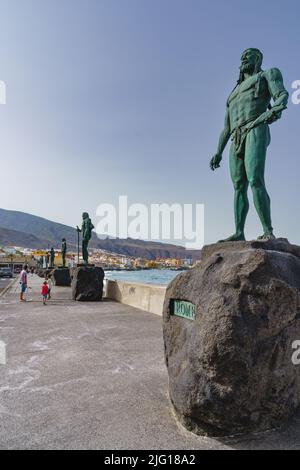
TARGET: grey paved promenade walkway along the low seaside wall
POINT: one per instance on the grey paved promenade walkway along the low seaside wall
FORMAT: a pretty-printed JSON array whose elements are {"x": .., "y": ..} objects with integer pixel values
[{"x": 92, "y": 376}]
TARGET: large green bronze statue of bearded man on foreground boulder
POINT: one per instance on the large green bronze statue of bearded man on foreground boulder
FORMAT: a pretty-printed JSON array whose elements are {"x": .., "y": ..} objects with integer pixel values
[{"x": 249, "y": 113}]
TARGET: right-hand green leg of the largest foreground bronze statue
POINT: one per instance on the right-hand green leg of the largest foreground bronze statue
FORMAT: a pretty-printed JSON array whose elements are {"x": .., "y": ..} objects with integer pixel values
[{"x": 257, "y": 143}]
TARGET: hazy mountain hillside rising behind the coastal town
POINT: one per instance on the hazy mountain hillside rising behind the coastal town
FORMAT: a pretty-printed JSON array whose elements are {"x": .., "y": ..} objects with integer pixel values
[{"x": 36, "y": 232}]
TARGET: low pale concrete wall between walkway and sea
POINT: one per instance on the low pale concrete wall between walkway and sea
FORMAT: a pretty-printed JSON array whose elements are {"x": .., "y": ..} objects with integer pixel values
[{"x": 143, "y": 296}]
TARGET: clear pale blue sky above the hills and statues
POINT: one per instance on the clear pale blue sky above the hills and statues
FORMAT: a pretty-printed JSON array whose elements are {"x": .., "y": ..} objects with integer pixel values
[{"x": 109, "y": 97}]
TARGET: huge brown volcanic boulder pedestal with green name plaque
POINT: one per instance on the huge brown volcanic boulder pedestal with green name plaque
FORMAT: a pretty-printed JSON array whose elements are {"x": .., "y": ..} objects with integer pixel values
[{"x": 229, "y": 328}]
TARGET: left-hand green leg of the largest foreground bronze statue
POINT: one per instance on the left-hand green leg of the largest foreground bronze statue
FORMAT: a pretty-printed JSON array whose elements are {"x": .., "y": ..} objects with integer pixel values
[{"x": 241, "y": 203}]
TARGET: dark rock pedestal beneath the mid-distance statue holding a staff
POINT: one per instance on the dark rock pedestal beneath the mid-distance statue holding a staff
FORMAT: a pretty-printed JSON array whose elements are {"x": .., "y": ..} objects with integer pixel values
[{"x": 87, "y": 283}]
